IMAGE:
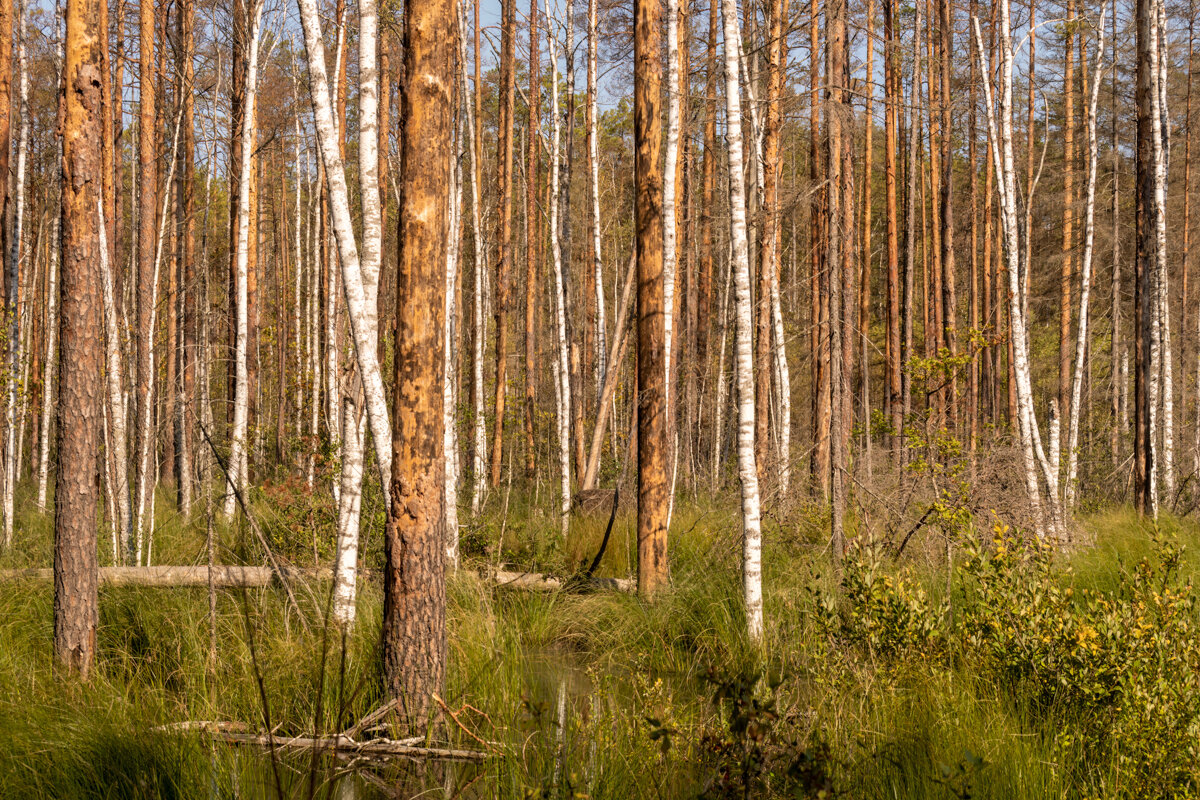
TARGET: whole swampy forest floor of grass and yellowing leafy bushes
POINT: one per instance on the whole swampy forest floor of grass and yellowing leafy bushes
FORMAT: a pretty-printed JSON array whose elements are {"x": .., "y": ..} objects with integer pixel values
[{"x": 992, "y": 669}]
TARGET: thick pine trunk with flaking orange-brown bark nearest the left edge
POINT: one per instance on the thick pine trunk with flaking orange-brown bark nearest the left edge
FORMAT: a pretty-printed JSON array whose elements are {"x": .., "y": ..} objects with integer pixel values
[{"x": 76, "y": 569}]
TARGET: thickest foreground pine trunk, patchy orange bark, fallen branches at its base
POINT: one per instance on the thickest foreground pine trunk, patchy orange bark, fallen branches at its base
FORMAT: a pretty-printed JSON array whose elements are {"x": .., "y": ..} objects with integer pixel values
[{"x": 415, "y": 647}]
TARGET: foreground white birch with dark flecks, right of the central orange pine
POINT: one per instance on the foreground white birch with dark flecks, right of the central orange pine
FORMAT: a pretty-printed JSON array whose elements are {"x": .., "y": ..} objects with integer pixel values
[{"x": 752, "y": 533}]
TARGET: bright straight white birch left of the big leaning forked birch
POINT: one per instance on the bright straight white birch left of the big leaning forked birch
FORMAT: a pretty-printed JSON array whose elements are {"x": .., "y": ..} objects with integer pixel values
[{"x": 235, "y": 478}]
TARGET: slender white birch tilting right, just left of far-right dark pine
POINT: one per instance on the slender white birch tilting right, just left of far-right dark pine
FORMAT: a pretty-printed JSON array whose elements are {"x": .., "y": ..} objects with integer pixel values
[{"x": 1077, "y": 390}]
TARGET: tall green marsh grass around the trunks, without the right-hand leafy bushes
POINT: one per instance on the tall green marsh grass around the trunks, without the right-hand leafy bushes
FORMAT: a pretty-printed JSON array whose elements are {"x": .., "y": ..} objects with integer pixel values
[{"x": 635, "y": 685}]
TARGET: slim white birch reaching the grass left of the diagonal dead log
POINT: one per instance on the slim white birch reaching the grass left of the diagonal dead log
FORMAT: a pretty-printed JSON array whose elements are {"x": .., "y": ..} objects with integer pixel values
[{"x": 562, "y": 369}]
